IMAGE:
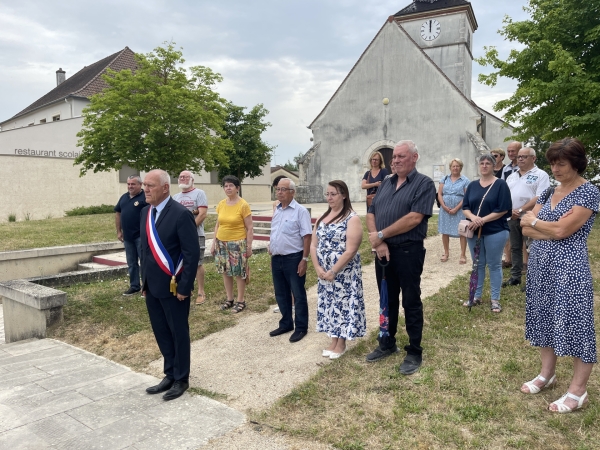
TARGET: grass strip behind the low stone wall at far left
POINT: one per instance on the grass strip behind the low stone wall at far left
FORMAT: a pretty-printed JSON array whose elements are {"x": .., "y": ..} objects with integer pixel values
[{"x": 65, "y": 231}]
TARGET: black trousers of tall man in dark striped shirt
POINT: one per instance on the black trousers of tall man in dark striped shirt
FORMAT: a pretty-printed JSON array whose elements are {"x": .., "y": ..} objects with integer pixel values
[{"x": 404, "y": 274}]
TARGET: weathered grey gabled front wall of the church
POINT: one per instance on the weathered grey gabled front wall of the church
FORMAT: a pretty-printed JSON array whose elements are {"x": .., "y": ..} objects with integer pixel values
[{"x": 423, "y": 107}]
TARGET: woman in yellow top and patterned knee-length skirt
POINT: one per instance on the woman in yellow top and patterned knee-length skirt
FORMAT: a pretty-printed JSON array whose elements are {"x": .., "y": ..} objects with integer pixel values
[{"x": 232, "y": 245}]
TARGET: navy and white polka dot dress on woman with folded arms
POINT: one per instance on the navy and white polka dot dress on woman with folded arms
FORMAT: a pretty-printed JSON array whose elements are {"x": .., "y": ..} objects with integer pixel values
[{"x": 560, "y": 297}]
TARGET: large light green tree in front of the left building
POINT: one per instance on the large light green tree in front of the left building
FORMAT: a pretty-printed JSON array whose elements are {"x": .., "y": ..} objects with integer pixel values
[{"x": 158, "y": 116}]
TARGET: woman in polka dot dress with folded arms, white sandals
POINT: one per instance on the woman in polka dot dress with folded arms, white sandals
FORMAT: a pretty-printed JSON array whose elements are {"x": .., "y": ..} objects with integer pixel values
[{"x": 560, "y": 297}]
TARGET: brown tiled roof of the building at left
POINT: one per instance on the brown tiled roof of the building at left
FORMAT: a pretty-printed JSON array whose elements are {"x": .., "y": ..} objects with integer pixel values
[{"x": 85, "y": 83}]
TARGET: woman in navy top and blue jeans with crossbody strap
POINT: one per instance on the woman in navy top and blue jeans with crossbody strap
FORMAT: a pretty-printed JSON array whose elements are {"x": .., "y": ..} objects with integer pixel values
[{"x": 487, "y": 204}]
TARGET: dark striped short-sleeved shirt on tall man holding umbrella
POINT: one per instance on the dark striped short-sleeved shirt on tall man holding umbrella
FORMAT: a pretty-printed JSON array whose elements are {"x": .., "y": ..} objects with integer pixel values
[{"x": 416, "y": 194}]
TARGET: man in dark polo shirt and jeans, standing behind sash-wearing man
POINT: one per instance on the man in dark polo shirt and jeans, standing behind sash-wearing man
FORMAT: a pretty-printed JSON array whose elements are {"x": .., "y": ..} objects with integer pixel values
[{"x": 127, "y": 222}]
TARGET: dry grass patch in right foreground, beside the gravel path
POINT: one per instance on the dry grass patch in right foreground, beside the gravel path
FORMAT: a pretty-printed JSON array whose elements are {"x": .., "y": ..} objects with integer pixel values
[{"x": 465, "y": 396}]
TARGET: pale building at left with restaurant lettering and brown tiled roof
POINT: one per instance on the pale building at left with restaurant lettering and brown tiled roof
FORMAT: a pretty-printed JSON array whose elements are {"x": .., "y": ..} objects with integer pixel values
[{"x": 38, "y": 146}]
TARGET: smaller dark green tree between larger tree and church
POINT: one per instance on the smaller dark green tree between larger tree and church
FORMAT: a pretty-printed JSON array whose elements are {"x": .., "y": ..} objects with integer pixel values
[{"x": 250, "y": 153}]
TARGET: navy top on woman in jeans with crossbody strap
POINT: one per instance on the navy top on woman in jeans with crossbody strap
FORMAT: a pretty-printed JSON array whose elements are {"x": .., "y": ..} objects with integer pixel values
[{"x": 497, "y": 200}]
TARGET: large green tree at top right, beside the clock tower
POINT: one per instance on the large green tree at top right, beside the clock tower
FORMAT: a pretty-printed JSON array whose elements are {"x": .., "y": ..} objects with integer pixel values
[{"x": 557, "y": 70}]
